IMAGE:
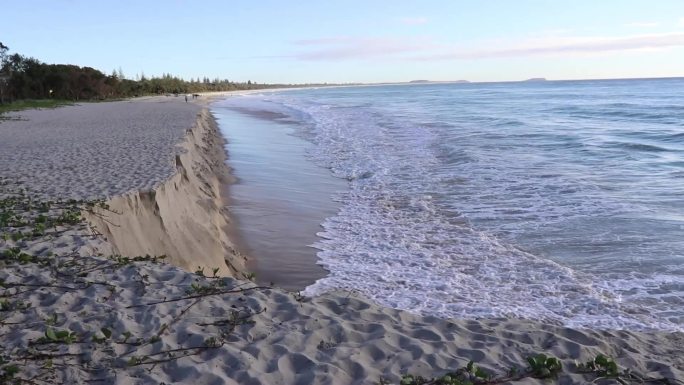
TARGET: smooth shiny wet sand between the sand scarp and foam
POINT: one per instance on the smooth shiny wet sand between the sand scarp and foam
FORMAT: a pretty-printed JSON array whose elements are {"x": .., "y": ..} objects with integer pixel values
[{"x": 278, "y": 198}]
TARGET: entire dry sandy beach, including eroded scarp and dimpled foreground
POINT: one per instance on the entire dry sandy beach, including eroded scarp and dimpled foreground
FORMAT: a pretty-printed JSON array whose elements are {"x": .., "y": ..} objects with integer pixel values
[{"x": 154, "y": 171}]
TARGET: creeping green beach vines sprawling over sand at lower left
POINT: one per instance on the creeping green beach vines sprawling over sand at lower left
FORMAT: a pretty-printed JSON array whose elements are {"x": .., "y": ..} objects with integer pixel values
[{"x": 26, "y": 221}]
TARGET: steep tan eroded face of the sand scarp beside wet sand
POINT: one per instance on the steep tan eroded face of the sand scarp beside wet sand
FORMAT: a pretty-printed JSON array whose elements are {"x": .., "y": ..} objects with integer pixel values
[{"x": 184, "y": 217}]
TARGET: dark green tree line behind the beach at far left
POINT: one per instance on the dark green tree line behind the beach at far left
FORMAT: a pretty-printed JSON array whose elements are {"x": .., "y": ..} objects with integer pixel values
[{"x": 24, "y": 77}]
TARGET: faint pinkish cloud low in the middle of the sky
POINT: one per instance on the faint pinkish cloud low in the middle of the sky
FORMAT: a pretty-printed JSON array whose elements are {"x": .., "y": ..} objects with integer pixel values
[{"x": 345, "y": 47}]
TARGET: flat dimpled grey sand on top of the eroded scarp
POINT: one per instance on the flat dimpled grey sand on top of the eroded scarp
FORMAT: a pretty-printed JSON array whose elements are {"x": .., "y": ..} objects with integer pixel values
[{"x": 95, "y": 150}]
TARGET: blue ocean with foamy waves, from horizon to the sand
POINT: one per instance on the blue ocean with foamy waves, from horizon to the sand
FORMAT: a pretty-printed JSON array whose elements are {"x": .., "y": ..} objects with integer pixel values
[{"x": 560, "y": 201}]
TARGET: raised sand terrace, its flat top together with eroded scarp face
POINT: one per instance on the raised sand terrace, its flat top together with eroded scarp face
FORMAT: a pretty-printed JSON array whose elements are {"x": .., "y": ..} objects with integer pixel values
[{"x": 160, "y": 160}]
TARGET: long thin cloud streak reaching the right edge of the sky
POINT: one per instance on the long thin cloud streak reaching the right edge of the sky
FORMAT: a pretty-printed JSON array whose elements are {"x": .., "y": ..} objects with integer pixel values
[{"x": 563, "y": 45}]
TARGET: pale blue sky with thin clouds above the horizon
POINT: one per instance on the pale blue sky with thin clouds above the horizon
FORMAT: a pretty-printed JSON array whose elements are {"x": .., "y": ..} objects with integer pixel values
[{"x": 309, "y": 41}]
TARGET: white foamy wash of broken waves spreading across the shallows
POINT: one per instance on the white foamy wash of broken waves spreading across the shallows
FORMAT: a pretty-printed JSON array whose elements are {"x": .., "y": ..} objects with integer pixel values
[{"x": 398, "y": 239}]
